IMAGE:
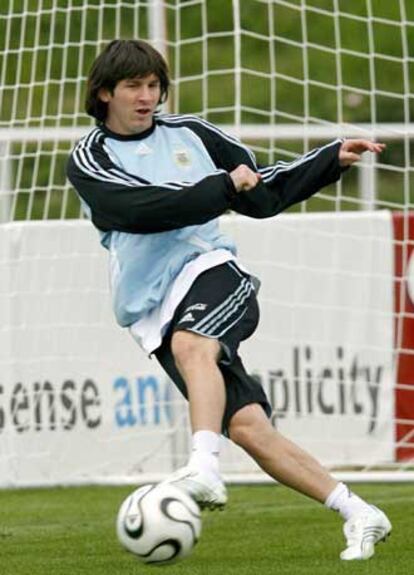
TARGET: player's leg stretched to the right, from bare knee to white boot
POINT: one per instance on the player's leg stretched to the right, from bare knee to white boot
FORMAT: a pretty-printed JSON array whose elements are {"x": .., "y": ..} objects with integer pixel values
[{"x": 287, "y": 463}]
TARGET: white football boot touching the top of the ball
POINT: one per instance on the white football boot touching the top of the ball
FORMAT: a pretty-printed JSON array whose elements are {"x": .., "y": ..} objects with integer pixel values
[{"x": 208, "y": 491}]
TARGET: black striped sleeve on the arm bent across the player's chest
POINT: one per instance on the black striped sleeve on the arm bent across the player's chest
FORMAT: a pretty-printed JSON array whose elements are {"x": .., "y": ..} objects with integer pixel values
[{"x": 124, "y": 202}]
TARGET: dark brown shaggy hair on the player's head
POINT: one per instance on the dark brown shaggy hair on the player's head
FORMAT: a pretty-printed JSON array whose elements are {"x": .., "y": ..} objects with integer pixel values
[{"x": 120, "y": 60}]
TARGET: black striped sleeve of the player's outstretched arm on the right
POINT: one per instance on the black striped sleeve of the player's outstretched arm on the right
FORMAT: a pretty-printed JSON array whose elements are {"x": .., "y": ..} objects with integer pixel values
[{"x": 283, "y": 184}]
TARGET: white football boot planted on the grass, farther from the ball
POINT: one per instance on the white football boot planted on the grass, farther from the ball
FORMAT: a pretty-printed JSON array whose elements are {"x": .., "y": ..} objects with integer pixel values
[{"x": 363, "y": 531}]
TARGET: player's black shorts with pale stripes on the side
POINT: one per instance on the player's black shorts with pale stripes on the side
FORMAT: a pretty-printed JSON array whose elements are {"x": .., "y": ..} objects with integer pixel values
[{"x": 221, "y": 304}]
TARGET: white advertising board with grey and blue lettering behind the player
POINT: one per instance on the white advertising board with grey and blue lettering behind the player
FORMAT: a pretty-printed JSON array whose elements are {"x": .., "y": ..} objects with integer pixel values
[{"x": 79, "y": 402}]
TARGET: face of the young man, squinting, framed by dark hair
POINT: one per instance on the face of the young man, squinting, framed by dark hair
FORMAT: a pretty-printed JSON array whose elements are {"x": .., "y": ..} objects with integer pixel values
[{"x": 132, "y": 104}]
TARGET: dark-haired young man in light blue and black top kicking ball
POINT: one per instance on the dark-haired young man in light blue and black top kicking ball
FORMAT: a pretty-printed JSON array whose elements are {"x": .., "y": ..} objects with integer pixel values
[{"x": 154, "y": 186}]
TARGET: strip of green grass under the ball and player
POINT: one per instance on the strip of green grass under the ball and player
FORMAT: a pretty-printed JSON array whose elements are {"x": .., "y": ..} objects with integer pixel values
[{"x": 264, "y": 530}]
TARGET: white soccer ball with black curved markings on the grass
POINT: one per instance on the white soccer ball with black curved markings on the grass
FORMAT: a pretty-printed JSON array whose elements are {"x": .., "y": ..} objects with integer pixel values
[{"x": 159, "y": 523}]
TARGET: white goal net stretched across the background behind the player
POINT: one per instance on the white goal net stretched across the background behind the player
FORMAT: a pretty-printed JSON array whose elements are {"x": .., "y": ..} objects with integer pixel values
[{"x": 335, "y": 348}]
